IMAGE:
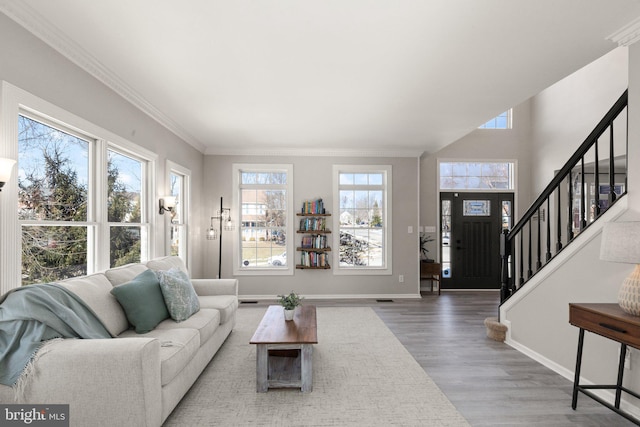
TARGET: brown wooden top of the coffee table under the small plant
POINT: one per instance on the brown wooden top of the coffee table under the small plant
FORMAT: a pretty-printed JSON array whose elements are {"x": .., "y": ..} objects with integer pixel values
[{"x": 273, "y": 329}]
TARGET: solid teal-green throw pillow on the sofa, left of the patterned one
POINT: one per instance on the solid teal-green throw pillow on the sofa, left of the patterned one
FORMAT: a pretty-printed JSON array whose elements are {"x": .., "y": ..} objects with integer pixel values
[{"x": 142, "y": 301}]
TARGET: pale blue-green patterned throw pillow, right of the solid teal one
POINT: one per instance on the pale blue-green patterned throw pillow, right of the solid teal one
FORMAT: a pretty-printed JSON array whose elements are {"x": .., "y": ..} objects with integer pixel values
[{"x": 178, "y": 292}]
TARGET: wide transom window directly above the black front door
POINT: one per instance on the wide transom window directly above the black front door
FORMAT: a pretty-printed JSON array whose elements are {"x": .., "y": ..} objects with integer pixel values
[{"x": 476, "y": 176}]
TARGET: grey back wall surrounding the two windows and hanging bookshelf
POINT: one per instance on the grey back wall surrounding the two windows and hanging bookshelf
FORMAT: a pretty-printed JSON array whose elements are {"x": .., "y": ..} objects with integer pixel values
[{"x": 313, "y": 179}]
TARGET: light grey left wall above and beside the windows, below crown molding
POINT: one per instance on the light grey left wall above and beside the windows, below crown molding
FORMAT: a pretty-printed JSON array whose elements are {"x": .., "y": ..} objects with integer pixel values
[{"x": 31, "y": 65}]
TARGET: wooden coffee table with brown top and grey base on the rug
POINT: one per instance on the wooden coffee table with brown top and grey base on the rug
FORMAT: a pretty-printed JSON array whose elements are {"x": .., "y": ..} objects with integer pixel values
[{"x": 284, "y": 349}]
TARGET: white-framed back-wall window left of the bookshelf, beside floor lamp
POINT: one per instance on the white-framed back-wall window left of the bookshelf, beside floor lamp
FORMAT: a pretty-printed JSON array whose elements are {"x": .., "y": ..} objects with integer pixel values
[{"x": 264, "y": 206}]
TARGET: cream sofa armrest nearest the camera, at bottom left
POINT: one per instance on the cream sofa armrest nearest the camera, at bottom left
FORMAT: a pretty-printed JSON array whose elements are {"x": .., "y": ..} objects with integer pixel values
[{"x": 106, "y": 382}]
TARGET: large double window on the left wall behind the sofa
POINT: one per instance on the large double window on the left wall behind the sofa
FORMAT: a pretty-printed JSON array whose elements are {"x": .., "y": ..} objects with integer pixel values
[{"x": 66, "y": 229}]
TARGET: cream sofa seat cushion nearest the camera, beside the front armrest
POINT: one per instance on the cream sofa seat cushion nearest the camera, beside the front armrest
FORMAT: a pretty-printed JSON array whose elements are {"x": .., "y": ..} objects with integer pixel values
[{"x": 178, "y": 346}]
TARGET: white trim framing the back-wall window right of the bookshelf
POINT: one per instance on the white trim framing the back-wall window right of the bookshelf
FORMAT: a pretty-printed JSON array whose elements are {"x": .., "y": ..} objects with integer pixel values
[{"x": 387, "y": 268}]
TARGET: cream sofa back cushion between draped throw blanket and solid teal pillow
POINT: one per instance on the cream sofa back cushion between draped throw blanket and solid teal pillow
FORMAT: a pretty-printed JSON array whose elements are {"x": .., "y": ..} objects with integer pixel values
[{"x": 94, "y": 291}]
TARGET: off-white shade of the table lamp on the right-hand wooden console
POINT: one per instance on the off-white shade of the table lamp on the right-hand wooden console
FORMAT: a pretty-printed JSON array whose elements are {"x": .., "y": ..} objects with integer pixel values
[{"x": 621, "y": 242}]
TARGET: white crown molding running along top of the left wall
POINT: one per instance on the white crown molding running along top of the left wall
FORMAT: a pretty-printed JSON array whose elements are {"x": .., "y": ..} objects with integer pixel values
[{"x": 33, "y": 22}]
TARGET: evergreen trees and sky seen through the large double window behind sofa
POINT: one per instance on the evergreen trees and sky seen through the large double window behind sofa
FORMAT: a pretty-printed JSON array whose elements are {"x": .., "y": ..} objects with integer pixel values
[{"x": 52, "y": 205}]
